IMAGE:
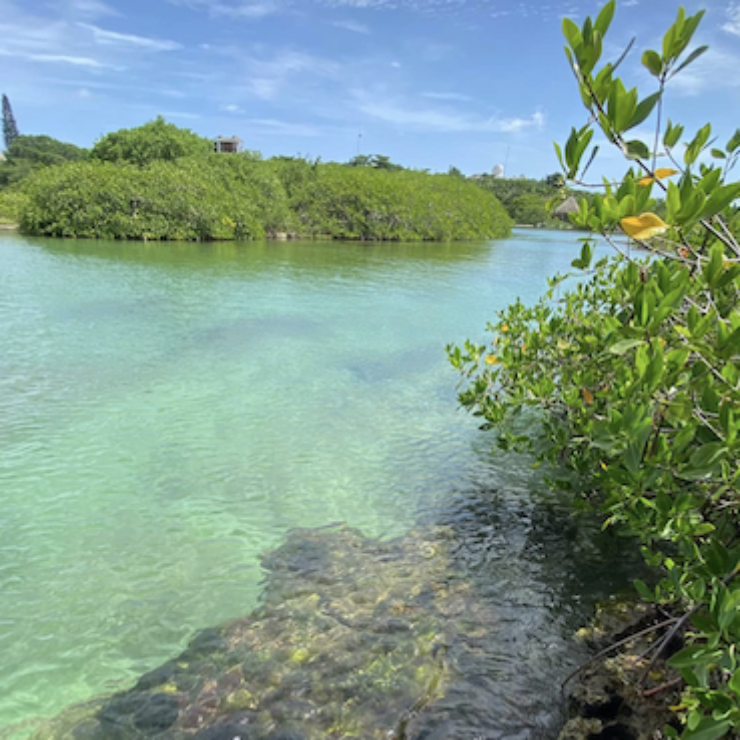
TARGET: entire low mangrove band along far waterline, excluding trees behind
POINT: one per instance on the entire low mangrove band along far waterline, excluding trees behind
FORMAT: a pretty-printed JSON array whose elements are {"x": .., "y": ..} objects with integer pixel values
[{"x": 239, "y": 197}]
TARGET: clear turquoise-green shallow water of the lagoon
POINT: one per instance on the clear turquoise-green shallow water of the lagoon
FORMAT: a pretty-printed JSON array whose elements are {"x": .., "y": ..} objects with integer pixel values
[{"x": 168, "y": 412}]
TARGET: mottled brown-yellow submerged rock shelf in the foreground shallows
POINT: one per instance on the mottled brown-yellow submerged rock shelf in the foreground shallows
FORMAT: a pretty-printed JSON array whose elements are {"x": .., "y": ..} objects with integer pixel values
[{"x": 354, "y": 638}]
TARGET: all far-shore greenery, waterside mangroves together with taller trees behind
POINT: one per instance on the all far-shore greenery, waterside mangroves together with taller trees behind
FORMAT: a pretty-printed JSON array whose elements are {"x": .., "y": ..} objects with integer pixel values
[{"x": 161, "y": 182}]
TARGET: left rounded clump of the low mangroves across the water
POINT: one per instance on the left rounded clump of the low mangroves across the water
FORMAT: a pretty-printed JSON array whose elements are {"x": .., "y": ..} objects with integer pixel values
[{"x": 215, "y": 197}]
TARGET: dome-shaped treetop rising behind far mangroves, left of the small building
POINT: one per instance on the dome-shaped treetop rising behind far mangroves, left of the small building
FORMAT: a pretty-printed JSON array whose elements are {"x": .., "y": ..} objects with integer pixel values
[{"x": 156, "y": 140}]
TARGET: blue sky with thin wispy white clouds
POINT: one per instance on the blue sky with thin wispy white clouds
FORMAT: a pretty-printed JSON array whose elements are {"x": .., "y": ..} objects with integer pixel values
[{"x": 429, "y": 83}]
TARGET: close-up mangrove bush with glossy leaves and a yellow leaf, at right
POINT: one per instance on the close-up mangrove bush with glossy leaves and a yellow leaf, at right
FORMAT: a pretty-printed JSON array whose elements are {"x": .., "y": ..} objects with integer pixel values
[{"x": 629, "y": 380}]
